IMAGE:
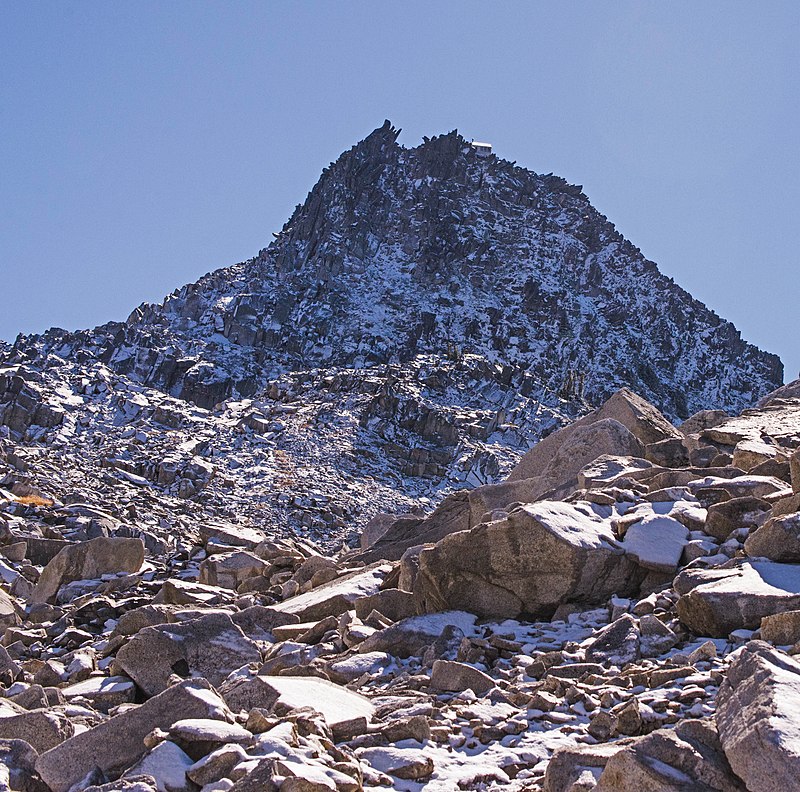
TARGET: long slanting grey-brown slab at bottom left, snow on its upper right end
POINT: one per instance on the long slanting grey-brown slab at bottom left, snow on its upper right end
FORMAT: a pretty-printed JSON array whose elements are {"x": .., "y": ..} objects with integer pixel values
[{"x": 117, "y": 743}]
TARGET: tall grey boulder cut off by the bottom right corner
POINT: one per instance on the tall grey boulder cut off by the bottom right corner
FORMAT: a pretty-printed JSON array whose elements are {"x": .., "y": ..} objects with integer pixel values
[{"x": 757, "y": 708}]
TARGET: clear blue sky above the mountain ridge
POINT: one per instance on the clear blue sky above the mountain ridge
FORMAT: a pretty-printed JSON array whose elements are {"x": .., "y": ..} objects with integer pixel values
[{"x": 144, "y": 144}]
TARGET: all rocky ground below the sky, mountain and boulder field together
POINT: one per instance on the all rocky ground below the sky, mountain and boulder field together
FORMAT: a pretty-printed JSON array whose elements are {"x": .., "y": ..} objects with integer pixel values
[{"x": 448, "y": 488}]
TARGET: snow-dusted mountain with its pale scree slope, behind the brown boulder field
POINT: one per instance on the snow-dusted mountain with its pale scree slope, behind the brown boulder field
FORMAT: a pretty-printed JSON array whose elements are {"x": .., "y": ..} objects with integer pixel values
[{"x": 422, "y": 318}]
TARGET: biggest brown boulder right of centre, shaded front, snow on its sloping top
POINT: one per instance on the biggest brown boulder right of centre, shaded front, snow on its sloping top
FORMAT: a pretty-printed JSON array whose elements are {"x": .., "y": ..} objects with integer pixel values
[{"x": 526, "y": 565}]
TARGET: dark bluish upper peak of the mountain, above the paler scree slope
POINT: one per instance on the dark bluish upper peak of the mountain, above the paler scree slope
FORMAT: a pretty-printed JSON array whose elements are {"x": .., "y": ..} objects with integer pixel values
[{"x": 434, "y": 249}]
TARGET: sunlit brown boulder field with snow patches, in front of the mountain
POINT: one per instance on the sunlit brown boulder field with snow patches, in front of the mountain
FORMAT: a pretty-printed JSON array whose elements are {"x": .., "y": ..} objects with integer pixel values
[{"x": 620, "y": 613}]
